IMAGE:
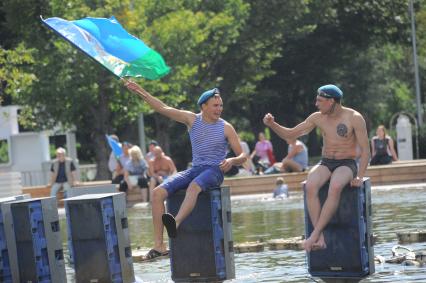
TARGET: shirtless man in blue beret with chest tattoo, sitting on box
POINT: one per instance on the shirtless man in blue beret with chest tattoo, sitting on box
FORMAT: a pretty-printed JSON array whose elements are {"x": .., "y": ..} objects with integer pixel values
[{"x": 342, "y": 130}]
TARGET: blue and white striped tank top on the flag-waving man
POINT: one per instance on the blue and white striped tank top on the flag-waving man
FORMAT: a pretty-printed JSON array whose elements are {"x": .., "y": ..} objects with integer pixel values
[{"x": 208, "y": 142}]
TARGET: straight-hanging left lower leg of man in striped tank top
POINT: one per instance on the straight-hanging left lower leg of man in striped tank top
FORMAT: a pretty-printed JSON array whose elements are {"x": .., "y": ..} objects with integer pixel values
[{"x": 159, "y": 194}]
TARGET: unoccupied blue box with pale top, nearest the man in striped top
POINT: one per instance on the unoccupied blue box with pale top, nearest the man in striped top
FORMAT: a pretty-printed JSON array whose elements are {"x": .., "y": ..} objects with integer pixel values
[{"x": 98, "y": 238}]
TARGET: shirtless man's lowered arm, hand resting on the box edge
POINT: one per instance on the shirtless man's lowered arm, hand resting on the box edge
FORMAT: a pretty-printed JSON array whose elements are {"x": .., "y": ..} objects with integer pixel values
[{"x": 362, "y": 138}]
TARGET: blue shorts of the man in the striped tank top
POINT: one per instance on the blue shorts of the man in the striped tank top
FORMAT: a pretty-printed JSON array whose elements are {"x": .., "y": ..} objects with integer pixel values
[{"x": 205, "y": 176}]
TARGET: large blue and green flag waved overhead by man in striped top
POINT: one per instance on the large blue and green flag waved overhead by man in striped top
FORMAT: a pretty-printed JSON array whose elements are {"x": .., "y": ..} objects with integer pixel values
[{"x": 106, "y": 41}]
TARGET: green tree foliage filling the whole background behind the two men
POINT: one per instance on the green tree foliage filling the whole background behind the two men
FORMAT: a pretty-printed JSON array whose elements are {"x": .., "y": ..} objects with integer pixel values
[{"x": 265, "y": 56}]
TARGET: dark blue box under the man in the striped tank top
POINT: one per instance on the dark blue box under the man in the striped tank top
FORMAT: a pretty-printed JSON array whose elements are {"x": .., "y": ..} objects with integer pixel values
[{"x": 203, "y": 248}]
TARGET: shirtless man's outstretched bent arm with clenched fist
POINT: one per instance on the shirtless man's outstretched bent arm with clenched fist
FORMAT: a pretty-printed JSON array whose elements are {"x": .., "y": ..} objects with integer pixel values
[{"x": 290, "y": 133}]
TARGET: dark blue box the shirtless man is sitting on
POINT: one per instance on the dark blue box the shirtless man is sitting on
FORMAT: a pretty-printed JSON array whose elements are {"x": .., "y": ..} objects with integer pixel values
[{"x": 348, "y": 235}]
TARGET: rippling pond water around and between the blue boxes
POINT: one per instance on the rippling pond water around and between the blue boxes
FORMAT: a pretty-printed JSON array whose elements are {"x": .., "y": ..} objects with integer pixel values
[{"x": 258, "y": 218}]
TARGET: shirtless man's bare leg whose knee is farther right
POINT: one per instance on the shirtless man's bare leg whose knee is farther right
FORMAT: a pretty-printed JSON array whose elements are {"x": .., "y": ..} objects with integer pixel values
[{"x": 340, "y": 177}]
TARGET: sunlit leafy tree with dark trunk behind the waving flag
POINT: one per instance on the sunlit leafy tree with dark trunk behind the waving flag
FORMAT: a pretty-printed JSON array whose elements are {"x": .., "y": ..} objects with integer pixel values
[{"x": 72, "y": 90}]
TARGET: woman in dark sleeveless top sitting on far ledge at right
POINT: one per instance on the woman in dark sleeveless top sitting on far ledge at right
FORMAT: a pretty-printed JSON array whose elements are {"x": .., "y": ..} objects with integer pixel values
[{"x": 382, "y": 148}]
